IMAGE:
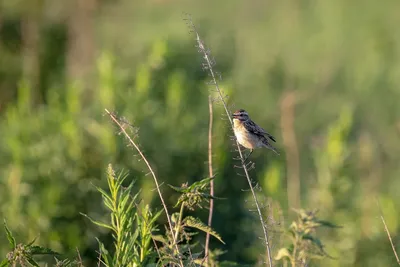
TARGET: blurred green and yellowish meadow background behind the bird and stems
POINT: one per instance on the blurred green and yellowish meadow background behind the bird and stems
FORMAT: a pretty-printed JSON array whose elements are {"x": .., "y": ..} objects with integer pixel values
[{"x": 322, "y": 76}]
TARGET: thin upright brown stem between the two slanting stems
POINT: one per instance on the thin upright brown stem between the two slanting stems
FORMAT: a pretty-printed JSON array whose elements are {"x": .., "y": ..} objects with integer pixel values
[{"x": 211, "y": 174}]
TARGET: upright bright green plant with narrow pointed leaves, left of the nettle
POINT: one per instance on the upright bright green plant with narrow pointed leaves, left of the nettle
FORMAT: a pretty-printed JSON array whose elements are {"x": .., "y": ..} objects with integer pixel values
[{"x": 131, "y": 225}]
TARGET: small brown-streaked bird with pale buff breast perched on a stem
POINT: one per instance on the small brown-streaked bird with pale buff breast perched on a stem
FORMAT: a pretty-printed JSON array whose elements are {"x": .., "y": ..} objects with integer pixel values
[{"x": 249, "y": 134}]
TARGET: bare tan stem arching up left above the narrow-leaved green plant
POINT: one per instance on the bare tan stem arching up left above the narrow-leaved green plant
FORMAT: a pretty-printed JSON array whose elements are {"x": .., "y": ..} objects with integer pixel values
[{"x": 117, "y": 121}]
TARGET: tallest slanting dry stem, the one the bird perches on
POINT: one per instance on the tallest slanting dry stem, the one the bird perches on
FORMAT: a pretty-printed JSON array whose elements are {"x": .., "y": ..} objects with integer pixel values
[{"x": 209, "y": 63}]
